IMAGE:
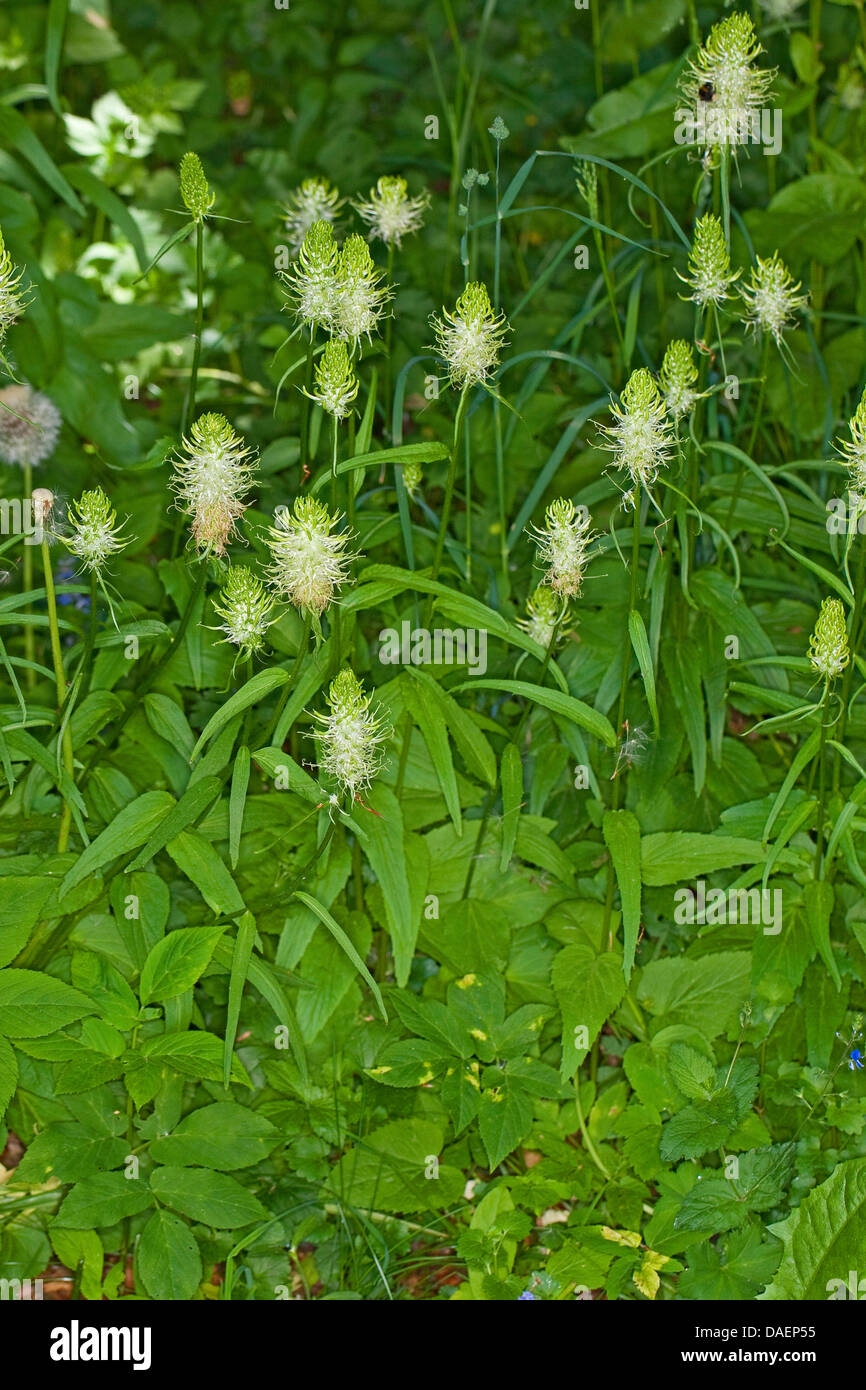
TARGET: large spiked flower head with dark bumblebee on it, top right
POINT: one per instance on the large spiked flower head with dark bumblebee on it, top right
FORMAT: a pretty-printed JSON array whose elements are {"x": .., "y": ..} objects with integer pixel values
[{"x": 726, "y": 67}]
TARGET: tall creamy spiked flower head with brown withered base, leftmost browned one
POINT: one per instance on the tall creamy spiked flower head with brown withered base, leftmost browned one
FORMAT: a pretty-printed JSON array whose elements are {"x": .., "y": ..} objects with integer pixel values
[{"x": 211, "y": 480}]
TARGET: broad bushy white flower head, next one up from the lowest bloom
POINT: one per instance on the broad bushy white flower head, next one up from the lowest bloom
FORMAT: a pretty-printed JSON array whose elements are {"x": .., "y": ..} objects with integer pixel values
[{"x": 311, "y": 559}]
